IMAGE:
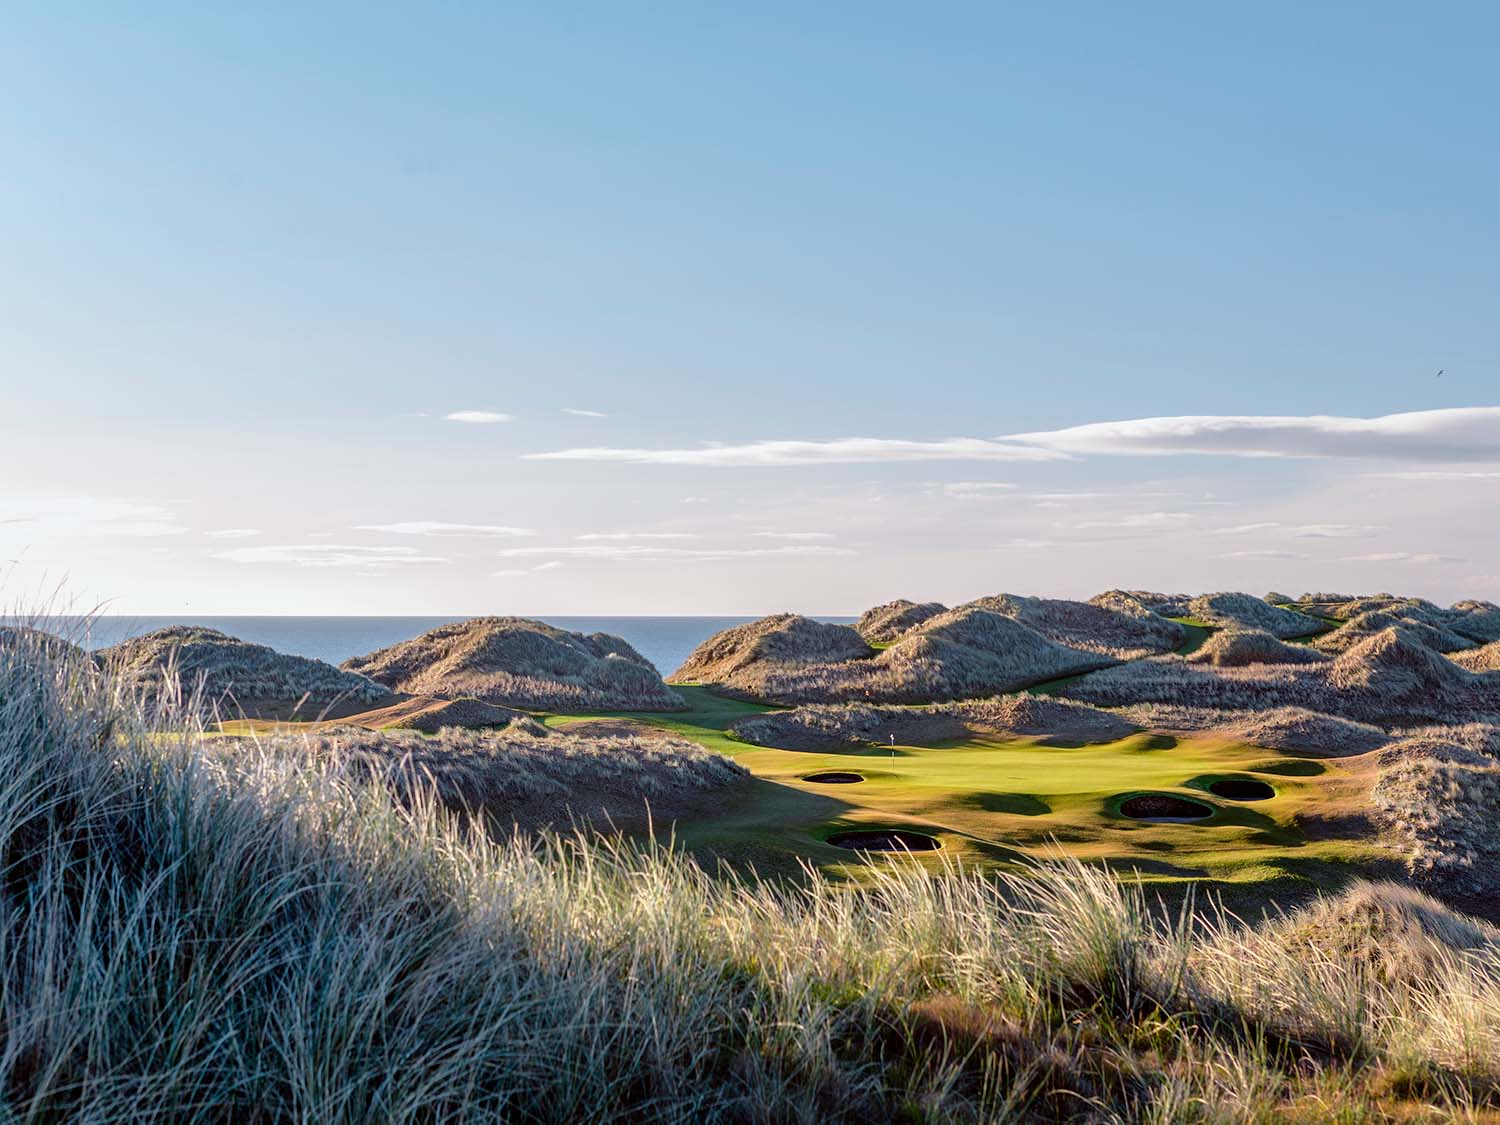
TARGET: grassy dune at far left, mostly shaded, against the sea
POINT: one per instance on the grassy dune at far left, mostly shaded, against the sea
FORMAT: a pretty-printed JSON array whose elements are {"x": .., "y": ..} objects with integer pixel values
[{"x": 227, "y": 671}]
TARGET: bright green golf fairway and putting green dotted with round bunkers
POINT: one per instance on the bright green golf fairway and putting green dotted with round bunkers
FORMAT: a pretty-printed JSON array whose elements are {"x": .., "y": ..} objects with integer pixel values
[{"x": 1007, "y": 800}]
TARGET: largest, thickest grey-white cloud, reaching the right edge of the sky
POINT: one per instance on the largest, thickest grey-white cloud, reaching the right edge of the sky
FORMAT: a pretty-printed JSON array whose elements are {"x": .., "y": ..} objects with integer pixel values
[{"x": 1463, "y": 434}]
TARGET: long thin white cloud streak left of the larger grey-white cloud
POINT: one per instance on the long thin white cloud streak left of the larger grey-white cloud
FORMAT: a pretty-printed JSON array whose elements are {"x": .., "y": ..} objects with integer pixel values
[{"x": 836, "y": 452}]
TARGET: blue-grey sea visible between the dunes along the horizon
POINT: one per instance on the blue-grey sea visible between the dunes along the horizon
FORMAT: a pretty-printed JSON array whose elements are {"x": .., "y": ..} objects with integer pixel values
[{"x": 665, "y": 641}]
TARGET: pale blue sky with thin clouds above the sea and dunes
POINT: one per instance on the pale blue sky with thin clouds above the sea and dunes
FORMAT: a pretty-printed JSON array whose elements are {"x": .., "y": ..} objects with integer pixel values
[{"x": 688, "y": 308}]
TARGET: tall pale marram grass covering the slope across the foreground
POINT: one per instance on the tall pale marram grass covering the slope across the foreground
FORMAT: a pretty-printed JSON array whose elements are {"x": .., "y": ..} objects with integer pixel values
[{"x": 203, "y": 935}]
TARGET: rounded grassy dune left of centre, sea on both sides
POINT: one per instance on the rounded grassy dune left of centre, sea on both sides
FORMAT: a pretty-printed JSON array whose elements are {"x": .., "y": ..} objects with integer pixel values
[{"x": 515, "y": 662}]
